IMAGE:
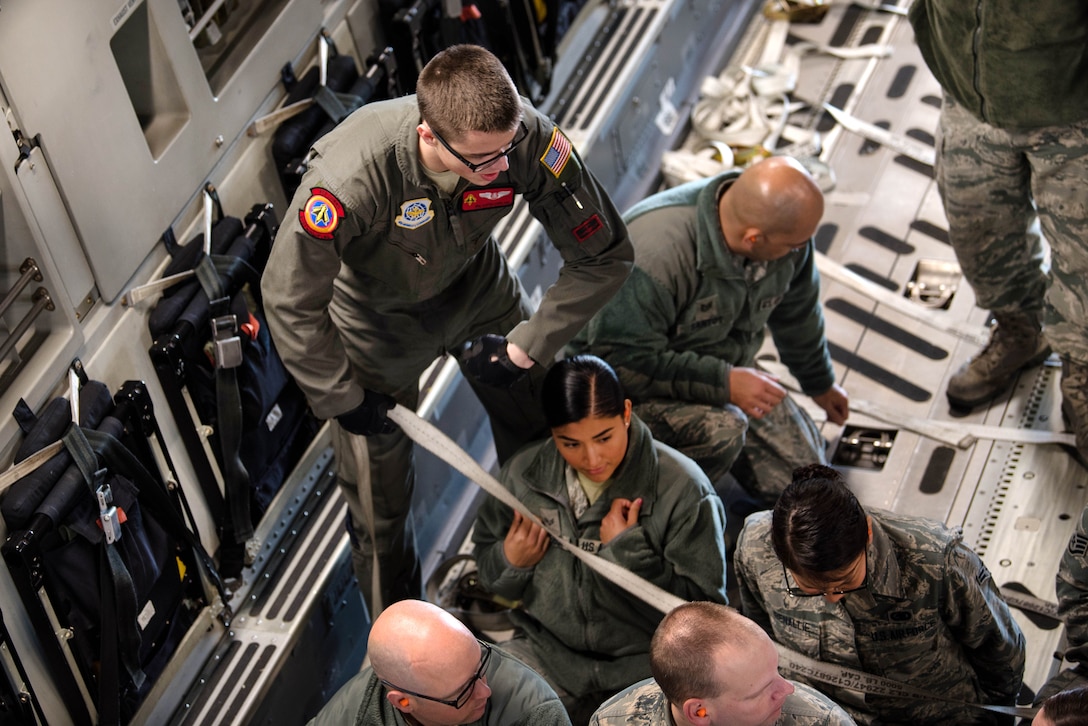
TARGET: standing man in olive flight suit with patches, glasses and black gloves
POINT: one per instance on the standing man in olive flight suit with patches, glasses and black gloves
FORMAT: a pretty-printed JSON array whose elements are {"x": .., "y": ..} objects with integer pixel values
[{"x": 387, "y": 262}]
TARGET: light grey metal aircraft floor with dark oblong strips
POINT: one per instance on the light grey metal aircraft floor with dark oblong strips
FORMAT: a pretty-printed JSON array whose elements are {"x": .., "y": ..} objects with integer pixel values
[{"x": 1018, "y": 503}]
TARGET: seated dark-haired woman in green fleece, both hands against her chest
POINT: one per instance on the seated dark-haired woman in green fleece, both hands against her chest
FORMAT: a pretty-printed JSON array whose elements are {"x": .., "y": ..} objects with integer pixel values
[{"x": 603, "y": 484}]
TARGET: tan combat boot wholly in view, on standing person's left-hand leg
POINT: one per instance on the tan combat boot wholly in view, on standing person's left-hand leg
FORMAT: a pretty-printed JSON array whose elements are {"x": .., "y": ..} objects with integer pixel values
[{"x": 1017, "y": 342}]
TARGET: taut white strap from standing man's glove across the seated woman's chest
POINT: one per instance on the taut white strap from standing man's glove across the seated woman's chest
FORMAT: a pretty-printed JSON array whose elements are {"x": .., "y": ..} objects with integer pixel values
[{"x": 432, "y": 439}]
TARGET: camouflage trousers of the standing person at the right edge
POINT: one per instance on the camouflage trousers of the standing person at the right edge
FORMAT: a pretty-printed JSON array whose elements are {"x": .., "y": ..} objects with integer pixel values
[{"x": 988, "y": 179}]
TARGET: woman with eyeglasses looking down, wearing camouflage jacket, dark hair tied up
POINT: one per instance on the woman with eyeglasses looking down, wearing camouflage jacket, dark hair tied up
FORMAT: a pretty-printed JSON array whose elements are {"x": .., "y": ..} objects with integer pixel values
[{"x": 891, "y": 595}]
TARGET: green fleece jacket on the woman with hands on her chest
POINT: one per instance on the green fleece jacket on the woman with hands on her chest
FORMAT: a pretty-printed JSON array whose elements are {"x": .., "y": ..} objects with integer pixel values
[{"x": 590, "y": 635}]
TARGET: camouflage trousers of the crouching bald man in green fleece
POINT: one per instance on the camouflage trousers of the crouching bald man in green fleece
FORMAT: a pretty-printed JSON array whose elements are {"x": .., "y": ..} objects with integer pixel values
[{"x": 715, "y": 437}]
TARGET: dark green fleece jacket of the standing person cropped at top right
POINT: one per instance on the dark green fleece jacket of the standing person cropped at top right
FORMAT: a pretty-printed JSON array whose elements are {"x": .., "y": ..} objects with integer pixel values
[{"x": 1011, "y": 64}]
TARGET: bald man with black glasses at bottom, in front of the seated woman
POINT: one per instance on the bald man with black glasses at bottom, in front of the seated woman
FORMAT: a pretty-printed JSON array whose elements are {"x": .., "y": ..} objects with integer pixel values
[{"x": 428, "y": 670}]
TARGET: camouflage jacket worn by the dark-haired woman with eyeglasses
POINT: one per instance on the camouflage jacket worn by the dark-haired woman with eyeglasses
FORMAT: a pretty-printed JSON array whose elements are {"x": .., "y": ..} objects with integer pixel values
[{"x": 931, "y": 617}]
